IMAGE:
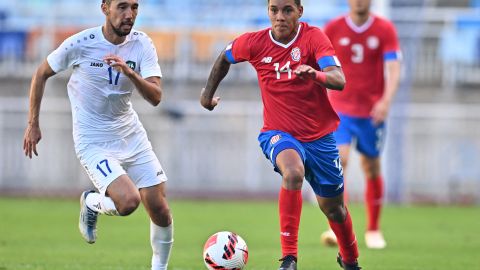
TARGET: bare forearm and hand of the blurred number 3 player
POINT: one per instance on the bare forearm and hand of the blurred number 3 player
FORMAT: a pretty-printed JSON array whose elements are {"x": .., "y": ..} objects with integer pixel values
[{"x": 382, "y": 107}]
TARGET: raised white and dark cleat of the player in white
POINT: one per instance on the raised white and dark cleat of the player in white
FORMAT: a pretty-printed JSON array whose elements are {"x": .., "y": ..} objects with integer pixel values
[{"x": 88, "y": 220}]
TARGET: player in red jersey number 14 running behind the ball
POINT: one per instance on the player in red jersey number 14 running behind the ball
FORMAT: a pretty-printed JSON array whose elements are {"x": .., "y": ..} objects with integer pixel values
[{"x": 298, "y": 119}]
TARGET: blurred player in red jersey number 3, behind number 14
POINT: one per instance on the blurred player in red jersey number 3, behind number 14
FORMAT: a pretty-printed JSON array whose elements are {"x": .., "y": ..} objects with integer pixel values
[{"x": 368, "y": 47}]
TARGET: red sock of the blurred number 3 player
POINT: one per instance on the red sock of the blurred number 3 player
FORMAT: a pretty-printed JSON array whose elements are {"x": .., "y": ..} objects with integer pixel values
[{"x": 373, "y": 199}]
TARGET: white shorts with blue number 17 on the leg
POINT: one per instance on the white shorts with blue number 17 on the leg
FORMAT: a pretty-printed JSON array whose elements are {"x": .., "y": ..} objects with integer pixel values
[{"x": 133, "y": 155}]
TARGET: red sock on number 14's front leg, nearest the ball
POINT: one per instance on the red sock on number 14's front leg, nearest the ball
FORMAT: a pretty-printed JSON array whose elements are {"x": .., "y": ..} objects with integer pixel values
[{"x": 290, "y": 209}]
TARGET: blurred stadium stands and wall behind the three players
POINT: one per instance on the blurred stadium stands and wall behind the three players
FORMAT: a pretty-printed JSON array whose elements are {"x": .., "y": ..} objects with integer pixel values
[{"x": 433, "y": 143}]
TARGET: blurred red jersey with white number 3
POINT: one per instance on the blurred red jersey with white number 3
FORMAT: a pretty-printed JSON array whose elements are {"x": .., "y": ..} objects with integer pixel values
[{"x": 362, "y": 51}]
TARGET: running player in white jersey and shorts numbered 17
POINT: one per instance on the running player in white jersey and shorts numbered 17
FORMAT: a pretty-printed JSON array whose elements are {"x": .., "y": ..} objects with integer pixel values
[{"x": 108, "y": 62}]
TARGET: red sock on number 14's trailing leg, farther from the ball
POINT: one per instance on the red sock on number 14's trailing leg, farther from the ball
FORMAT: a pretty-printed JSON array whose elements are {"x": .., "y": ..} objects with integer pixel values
[{"x": 347, "y": 242}]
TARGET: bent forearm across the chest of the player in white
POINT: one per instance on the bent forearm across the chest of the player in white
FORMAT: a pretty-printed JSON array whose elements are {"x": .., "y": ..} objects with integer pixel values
[{"x": 150, "y": 88}]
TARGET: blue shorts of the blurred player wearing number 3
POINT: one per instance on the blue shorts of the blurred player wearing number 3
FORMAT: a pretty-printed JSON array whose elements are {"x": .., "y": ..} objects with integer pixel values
[{"x": 369, "y": 137}]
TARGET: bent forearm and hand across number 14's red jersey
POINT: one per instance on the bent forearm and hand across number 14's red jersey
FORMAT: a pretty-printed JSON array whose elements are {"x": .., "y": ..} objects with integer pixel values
[{"x": 332, "y": 77}]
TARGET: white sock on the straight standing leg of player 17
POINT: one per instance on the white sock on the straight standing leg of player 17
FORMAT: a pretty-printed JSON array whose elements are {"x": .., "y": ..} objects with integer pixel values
[{"x": 161, "y": 239}]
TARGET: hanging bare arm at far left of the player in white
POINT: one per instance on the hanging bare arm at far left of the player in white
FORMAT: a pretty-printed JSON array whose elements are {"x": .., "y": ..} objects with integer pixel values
[{"x": 33, "y": 133}]
